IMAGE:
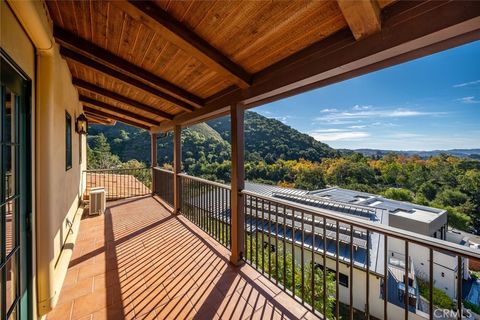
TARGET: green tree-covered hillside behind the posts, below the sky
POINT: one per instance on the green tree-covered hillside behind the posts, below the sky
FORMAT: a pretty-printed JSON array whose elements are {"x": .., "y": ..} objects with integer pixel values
[{"x": 265, "y": 138}]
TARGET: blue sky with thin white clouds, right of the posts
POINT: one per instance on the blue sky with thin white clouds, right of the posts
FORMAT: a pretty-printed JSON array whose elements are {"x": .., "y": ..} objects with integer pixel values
[{"x": 425, "y": 104}]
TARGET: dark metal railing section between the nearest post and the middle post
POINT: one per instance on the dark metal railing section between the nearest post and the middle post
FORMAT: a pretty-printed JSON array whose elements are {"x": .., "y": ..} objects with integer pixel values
[{"x": 207, "y": 204}]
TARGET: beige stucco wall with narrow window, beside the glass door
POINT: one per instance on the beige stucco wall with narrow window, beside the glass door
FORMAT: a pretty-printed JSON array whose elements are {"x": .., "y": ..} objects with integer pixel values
[{"x": 25, "y": 33}]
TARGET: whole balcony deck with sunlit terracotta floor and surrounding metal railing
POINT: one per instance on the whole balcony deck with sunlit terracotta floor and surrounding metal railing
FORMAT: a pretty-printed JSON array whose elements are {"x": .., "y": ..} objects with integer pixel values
[{"x": 140, "y": 260}]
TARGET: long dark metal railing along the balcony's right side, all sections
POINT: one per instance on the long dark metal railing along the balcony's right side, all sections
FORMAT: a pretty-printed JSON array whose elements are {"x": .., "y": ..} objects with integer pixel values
[{"x": 334, "y": 264}]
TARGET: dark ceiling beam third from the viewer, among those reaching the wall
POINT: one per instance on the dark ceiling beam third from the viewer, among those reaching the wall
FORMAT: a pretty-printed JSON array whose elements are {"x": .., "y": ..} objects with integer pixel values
[{"x": 100, "y": 67}]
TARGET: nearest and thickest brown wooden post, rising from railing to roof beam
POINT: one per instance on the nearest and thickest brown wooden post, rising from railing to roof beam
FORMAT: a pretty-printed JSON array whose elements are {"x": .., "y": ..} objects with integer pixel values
[{"x": 237, "y": 184}]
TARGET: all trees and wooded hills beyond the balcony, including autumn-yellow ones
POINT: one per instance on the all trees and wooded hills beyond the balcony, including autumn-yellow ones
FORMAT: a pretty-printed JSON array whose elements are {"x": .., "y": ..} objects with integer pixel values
[{"x": 279, "y": 155}]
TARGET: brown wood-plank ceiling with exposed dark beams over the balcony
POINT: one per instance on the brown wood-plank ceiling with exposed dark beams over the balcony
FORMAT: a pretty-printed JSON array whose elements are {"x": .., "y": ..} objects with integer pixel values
[{"x": 152, "y": 64}]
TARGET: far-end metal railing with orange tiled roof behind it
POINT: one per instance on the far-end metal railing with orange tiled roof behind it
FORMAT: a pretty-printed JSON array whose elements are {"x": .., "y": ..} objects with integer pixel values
[{"x": 118, "y": 183}]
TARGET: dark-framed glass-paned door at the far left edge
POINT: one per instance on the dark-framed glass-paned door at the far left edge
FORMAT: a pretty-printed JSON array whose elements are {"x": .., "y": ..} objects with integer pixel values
[{"x": 15, "y": 207}]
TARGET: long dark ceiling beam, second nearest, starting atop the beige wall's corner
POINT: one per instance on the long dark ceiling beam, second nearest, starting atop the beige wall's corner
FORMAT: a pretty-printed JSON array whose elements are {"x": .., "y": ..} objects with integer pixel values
[{"x": 75, "y": 43}]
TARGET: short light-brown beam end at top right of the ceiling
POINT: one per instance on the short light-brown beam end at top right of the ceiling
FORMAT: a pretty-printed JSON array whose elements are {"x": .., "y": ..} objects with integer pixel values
[{"x": 363, "y": 17}]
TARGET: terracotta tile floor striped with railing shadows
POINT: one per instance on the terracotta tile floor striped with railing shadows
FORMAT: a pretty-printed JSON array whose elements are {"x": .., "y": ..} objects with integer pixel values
[{"x": 139, "y": 262}]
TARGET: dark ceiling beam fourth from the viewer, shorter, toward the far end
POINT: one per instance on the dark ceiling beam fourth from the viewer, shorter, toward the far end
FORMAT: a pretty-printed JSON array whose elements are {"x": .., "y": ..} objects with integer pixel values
[{"x": 79, "y": 83}]
